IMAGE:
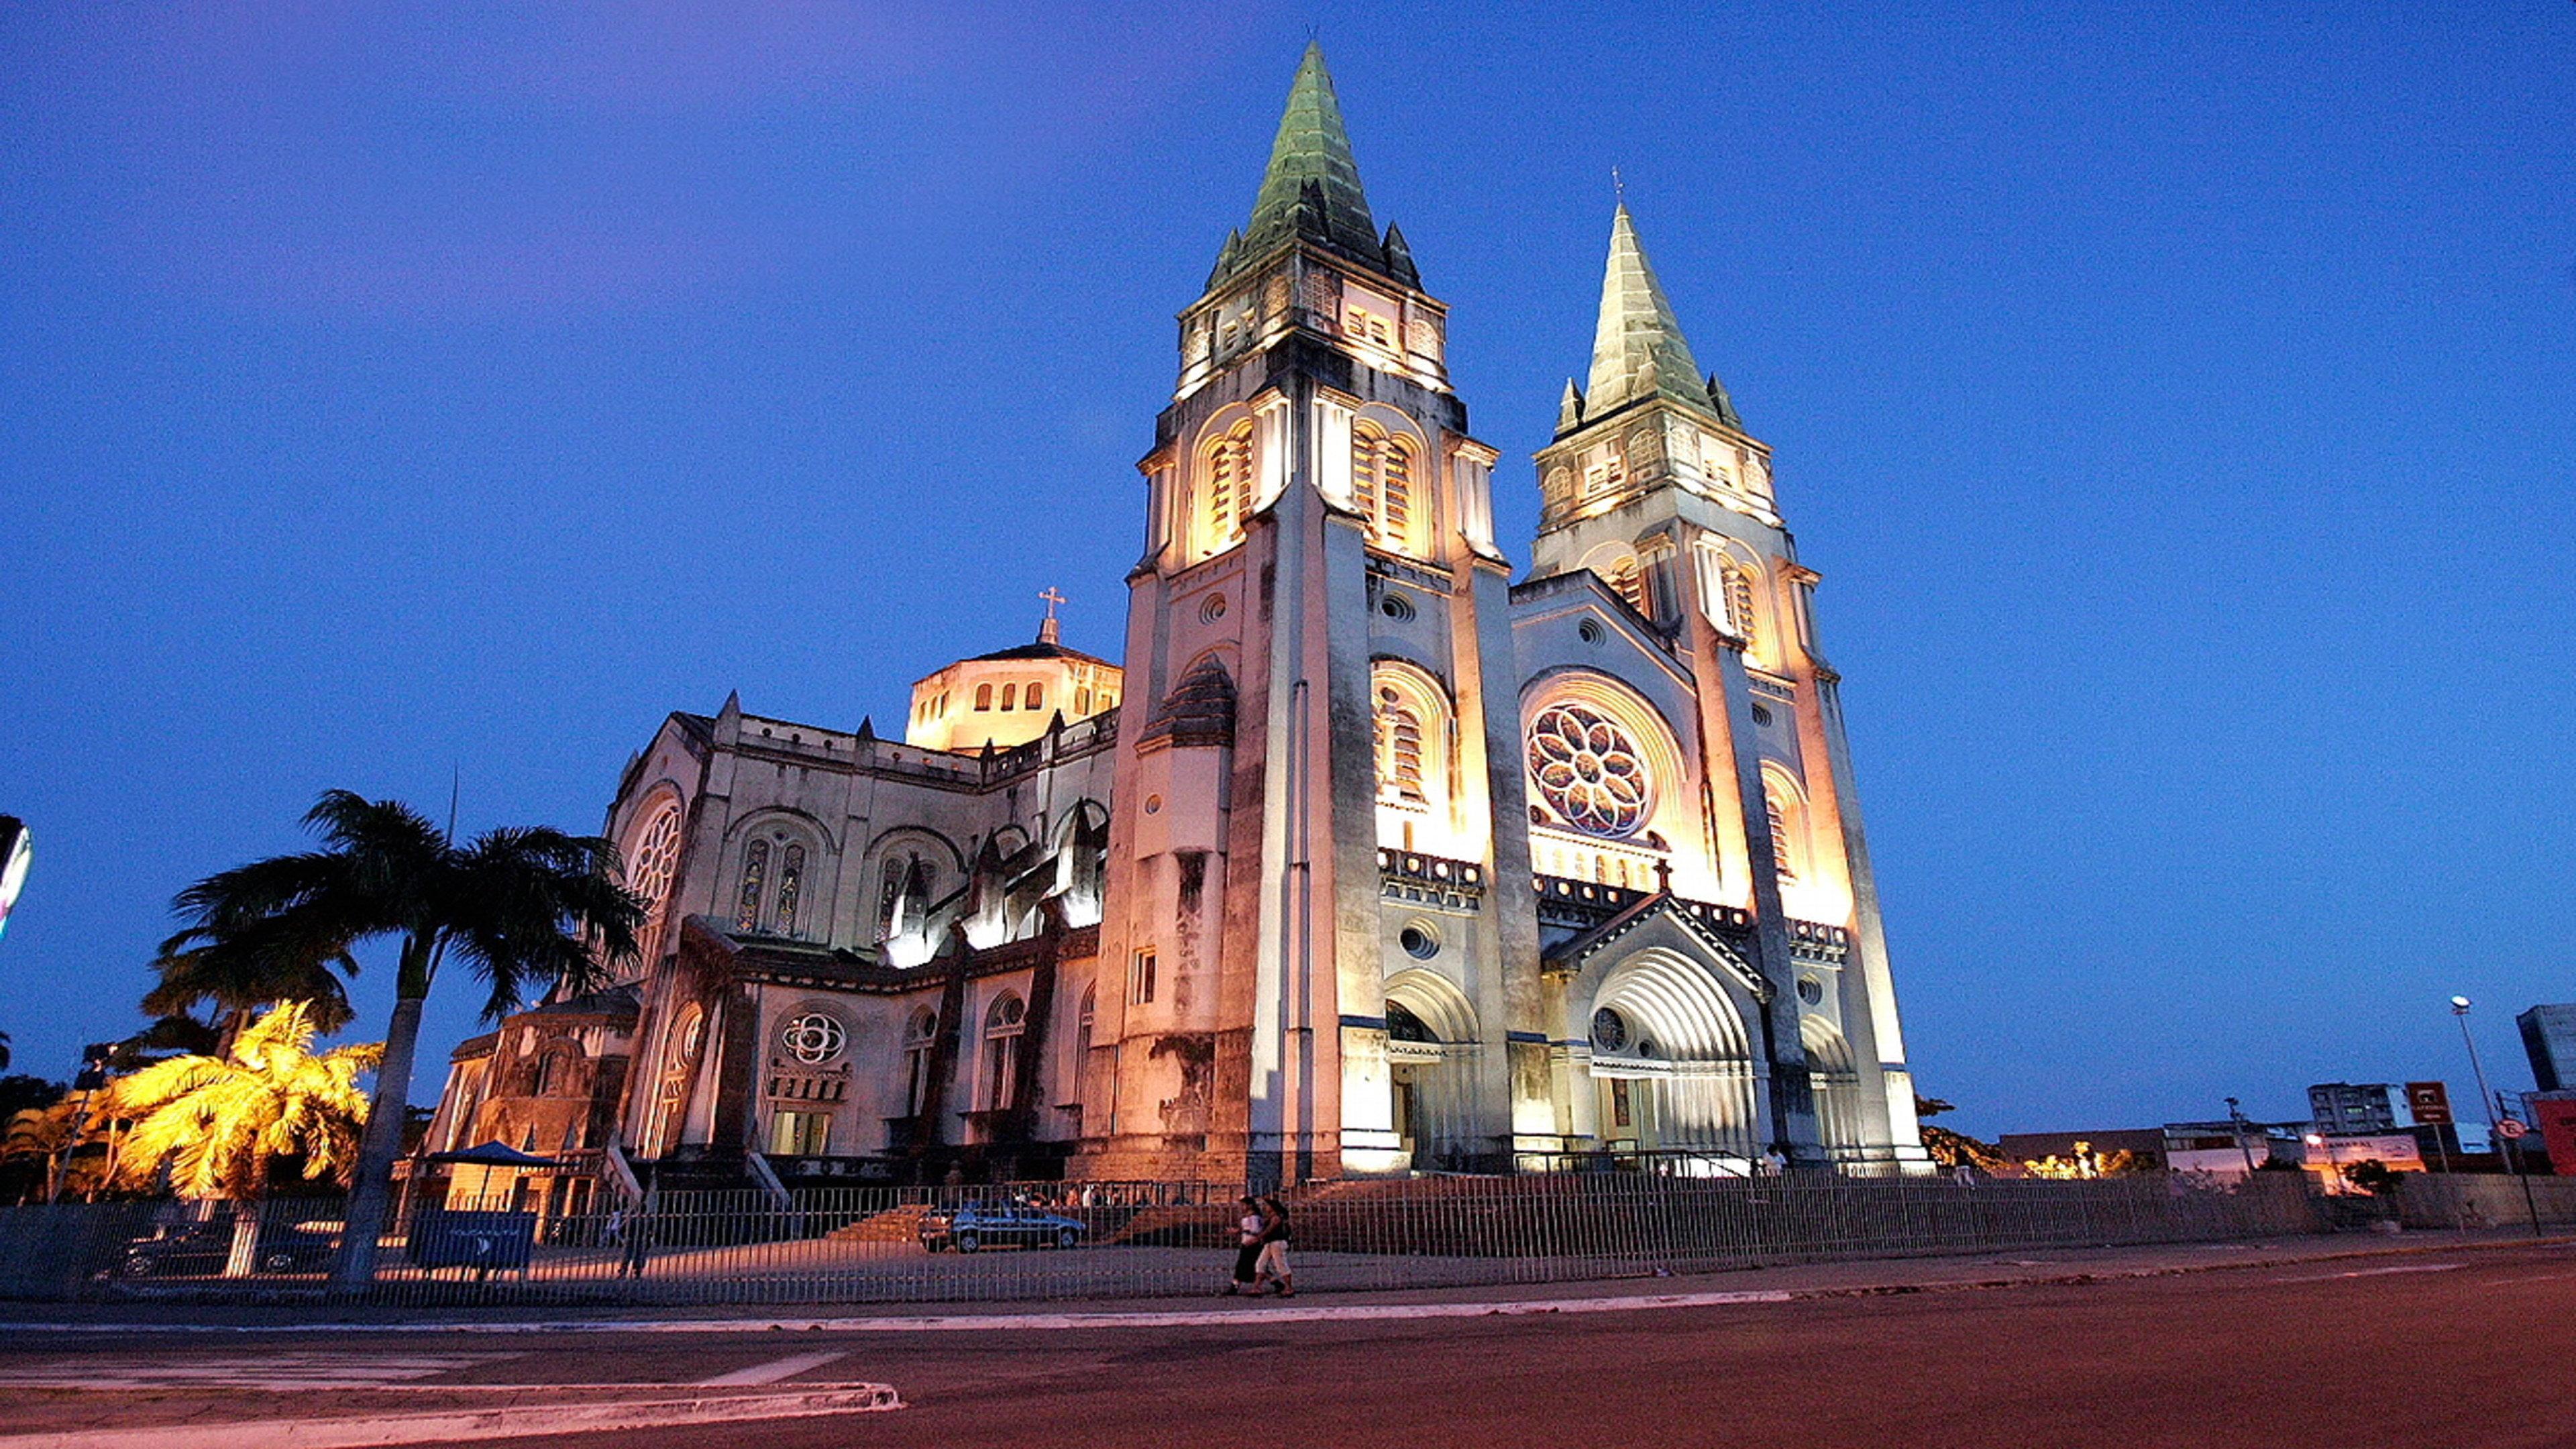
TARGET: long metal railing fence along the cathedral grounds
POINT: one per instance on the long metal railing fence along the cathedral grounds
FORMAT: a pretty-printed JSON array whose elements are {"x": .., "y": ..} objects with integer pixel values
[{"x": 1073, "y": 1241}]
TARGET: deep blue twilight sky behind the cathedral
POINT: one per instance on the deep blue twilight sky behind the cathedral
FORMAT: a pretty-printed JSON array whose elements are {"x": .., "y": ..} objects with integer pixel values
[{"x": 2181, "y": 411}]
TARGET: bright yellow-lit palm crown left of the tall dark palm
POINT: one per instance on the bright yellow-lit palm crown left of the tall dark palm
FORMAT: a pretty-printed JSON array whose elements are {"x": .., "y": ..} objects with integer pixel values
[{"x": 218, "y": 1123}]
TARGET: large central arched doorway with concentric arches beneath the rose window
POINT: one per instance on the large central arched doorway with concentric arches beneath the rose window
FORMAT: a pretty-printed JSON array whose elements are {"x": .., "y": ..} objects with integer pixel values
[{"x": 1671, "y": 1061}]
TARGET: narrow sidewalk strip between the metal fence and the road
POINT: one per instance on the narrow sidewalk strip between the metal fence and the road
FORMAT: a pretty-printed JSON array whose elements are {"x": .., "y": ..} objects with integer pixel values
[{"x": 1601, "y": 1296}]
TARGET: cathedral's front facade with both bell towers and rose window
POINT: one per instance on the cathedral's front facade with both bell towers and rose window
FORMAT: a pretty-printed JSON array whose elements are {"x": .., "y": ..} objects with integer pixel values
[{"x": 1421, "y": 868}]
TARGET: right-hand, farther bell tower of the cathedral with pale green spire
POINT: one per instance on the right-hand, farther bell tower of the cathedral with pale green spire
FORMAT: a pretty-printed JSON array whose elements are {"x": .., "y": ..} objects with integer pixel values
[{"x": 1658, "y": 486}]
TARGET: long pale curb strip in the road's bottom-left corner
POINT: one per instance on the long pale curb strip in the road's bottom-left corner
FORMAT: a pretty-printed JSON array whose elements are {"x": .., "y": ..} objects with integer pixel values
[{"x": 473, "y": 1425}]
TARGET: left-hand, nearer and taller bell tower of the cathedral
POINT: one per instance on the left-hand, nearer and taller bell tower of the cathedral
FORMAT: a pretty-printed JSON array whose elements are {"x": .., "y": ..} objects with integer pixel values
[{"x": 1312, "y": 633}]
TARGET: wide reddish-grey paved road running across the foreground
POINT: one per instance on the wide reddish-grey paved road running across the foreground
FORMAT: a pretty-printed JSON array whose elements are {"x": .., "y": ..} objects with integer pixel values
[{"x": 2423, "y": 1350}]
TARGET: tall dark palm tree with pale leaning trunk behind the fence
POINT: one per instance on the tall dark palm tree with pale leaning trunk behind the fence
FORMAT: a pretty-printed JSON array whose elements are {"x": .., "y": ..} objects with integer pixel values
[{"x": 524, "y": 909}]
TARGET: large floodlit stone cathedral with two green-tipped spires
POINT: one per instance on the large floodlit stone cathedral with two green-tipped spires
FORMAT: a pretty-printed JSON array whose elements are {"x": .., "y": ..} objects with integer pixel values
[{"x": 1364, "y": 857}]
